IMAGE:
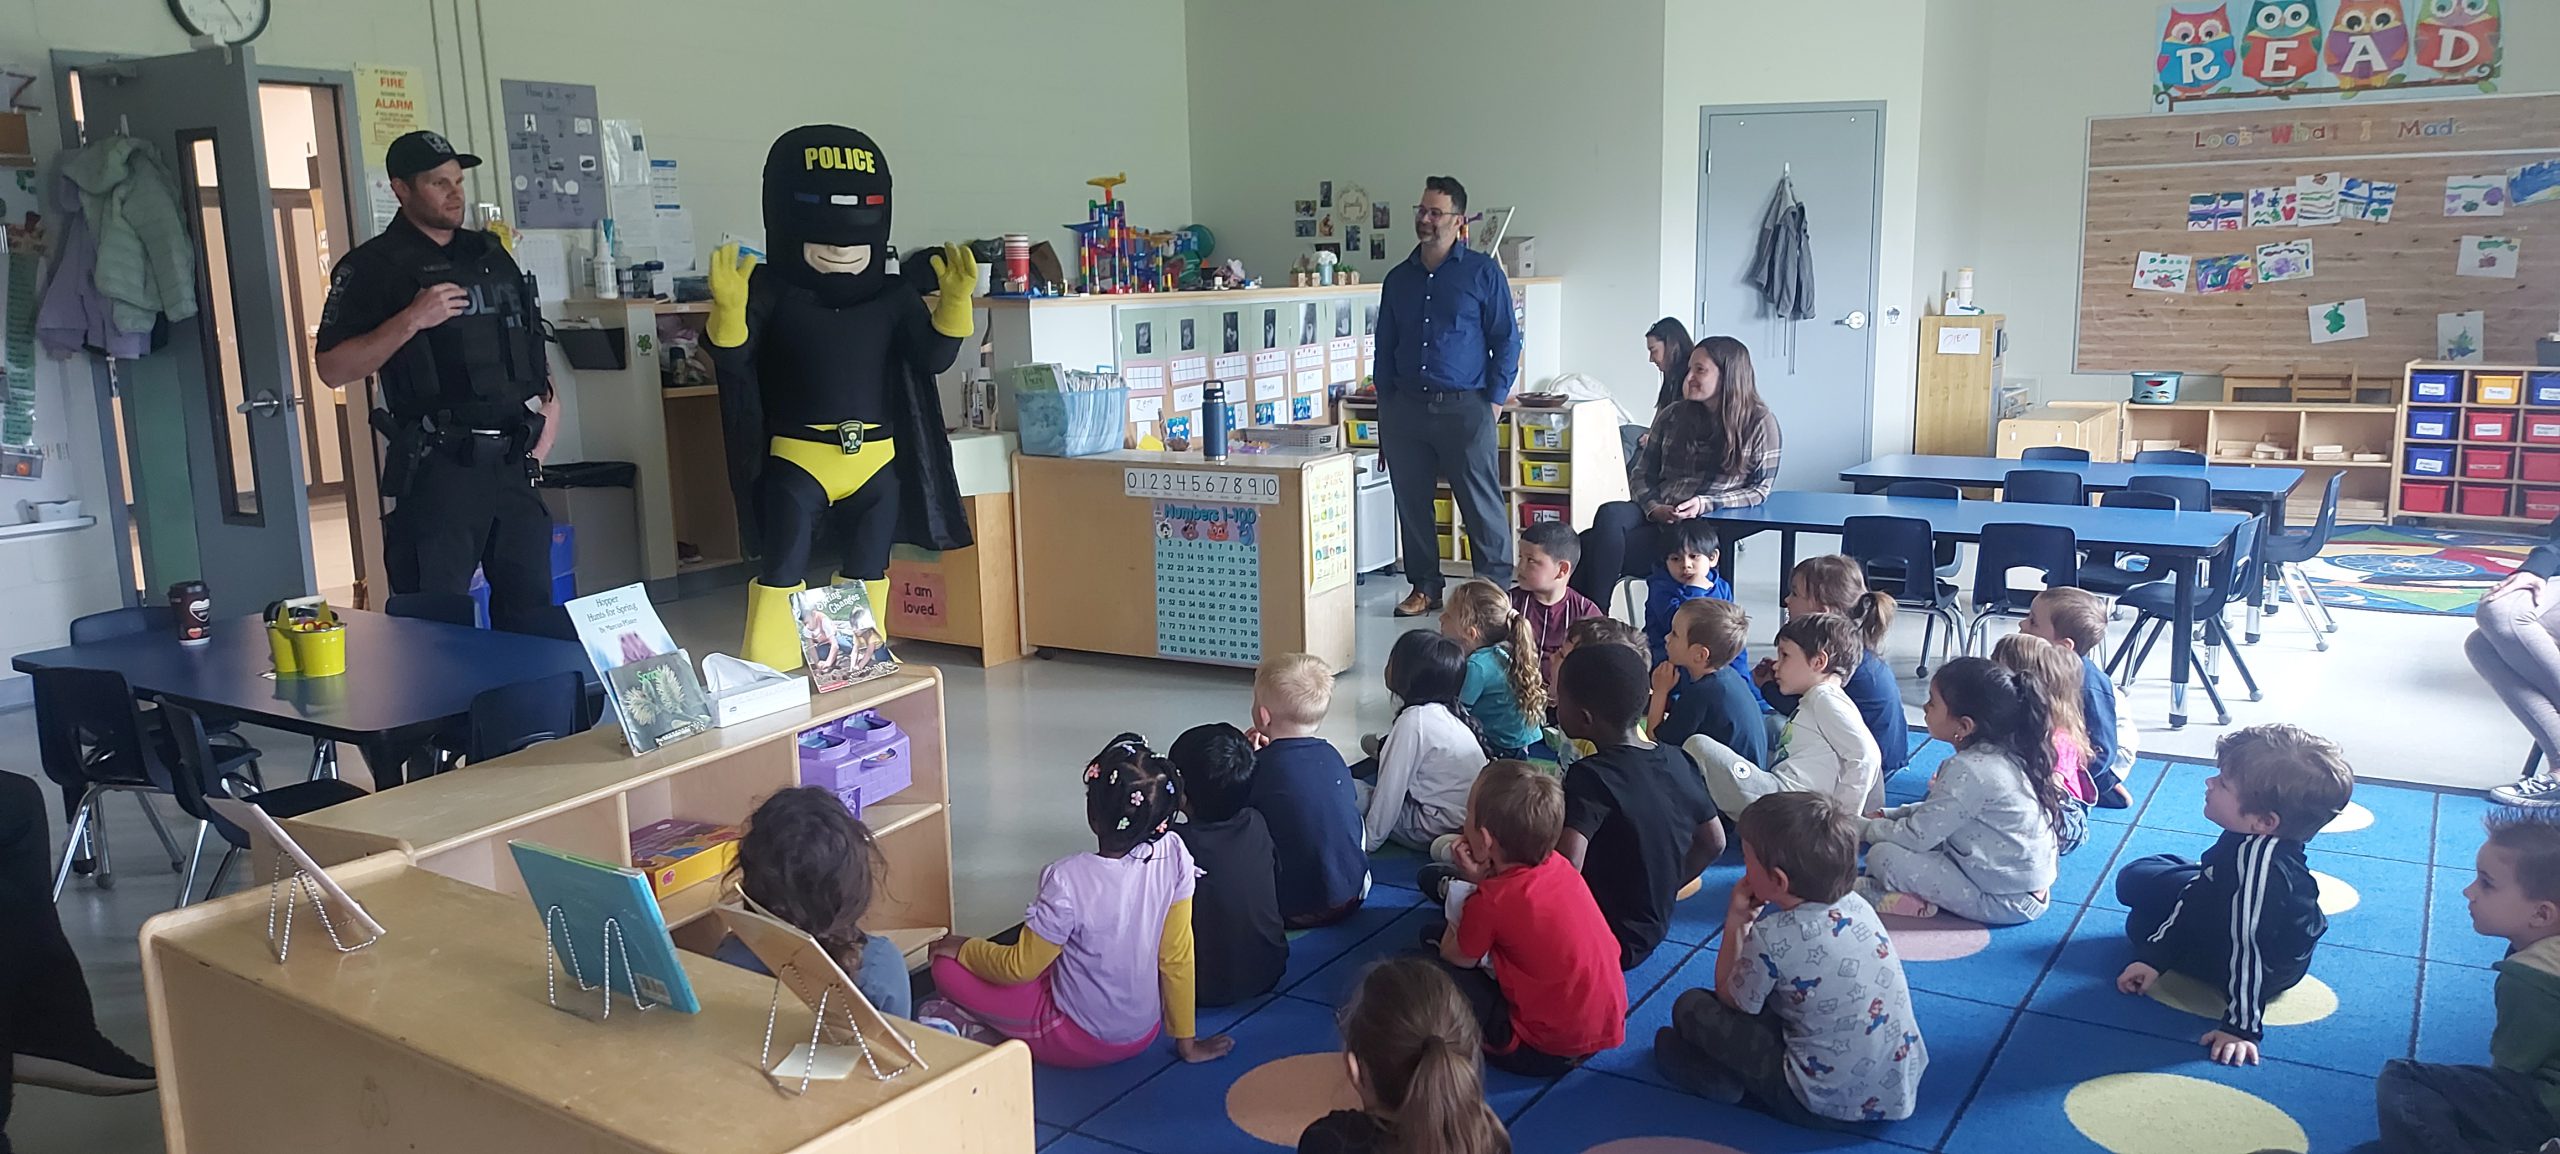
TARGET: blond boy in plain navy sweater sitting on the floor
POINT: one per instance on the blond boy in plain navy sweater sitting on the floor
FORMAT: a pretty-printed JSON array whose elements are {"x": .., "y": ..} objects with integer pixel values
[{"x": 1304, "y": 794}]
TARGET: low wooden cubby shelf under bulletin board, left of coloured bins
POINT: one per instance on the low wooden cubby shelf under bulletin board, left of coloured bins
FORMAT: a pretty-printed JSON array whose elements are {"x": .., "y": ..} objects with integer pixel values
[{"x": 2213, "y": 426}]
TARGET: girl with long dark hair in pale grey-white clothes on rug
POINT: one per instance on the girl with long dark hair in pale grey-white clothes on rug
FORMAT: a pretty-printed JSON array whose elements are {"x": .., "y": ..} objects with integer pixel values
[{"x": 1980, "y": 843}]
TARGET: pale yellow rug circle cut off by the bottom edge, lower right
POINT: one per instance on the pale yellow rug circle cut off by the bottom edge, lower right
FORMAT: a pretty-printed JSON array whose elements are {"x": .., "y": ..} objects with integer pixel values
[{"x": 2177, "y": 1114}]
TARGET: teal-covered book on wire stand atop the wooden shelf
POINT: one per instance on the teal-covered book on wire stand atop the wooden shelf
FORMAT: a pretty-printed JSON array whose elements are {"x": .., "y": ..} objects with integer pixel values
[{"x": 588, "y": 897}]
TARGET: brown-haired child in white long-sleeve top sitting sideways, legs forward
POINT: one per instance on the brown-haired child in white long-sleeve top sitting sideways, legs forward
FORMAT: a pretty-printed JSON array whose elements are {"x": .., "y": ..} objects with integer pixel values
[{"x": 1827, "y": 748}]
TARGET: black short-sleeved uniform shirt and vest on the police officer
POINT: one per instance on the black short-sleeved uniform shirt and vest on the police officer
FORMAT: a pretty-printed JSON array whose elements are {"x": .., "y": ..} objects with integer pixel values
[{"x": 383, "y": 278}]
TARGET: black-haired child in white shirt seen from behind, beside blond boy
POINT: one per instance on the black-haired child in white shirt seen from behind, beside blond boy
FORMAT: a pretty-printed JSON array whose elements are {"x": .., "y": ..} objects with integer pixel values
[{"x": 1417, "y": 787}]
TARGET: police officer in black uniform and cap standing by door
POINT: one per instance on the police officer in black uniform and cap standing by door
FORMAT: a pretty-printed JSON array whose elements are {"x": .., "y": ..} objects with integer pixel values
[{"x": 449, "y": 324}]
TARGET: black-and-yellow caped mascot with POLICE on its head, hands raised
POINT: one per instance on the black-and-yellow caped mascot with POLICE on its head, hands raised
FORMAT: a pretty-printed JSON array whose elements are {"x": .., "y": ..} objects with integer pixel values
[{"x": 828, "y": 385}]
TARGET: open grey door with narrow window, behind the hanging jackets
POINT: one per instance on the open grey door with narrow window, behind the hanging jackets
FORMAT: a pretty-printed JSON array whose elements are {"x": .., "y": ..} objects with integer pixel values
[{"x": 229, "y": 370}]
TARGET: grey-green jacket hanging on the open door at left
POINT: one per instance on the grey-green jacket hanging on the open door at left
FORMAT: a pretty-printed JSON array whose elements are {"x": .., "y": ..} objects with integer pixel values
[{"x": 145, "y": 255}]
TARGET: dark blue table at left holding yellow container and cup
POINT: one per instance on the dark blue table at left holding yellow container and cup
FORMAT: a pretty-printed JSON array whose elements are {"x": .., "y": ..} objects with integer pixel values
[{"x": 406, "y": 679}]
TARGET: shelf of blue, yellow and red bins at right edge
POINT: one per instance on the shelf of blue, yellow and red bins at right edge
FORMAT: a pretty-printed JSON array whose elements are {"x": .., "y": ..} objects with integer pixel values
[{"x": 2477, "y": 444}]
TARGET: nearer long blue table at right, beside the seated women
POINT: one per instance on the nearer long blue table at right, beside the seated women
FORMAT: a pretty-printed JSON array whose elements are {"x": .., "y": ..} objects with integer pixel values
[{"x": 2177, "y": 536}]
